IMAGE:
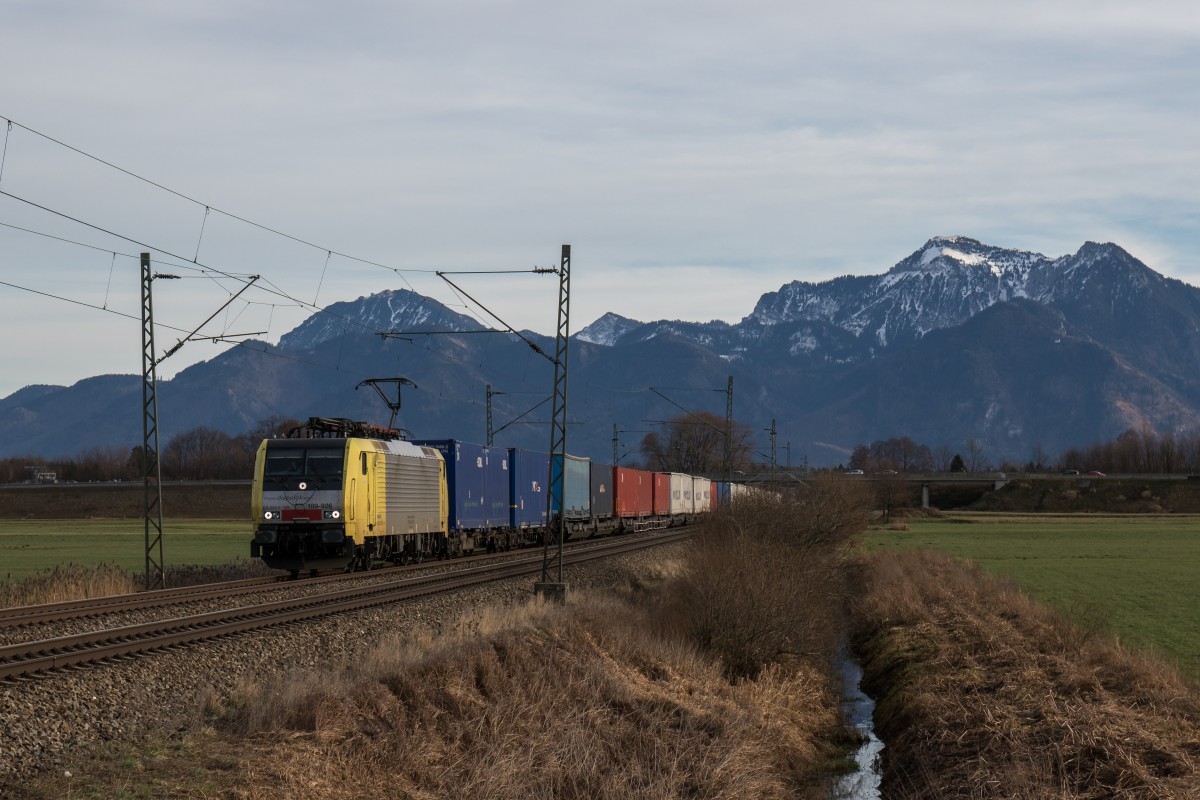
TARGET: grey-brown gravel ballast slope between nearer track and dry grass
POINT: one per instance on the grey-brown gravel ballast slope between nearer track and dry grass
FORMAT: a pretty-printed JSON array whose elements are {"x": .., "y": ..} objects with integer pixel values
[{"x": 46, "y": 720}]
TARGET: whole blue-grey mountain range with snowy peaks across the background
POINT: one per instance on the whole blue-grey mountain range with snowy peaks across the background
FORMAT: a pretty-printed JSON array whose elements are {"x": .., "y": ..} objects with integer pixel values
[{"x": 958, "y": 340}]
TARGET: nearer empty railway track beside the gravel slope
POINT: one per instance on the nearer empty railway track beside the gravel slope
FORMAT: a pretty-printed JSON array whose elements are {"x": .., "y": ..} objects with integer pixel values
[{"x": 31, "y": 660}]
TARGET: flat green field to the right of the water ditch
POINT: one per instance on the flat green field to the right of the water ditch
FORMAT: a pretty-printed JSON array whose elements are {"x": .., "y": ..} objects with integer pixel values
[{"x": 1137, "y": 578}]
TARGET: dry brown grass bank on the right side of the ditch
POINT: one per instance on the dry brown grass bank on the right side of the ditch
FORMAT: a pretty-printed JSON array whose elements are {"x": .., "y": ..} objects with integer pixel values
[{"x": 985, "y": 694}]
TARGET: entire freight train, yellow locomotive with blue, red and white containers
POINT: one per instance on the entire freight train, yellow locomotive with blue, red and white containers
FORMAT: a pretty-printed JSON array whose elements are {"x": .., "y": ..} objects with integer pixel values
[{"x": 343, "y": 495}]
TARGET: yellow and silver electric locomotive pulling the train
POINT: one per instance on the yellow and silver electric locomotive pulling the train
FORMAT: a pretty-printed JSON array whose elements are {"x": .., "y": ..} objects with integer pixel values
[{"x": 343, "y": 495}]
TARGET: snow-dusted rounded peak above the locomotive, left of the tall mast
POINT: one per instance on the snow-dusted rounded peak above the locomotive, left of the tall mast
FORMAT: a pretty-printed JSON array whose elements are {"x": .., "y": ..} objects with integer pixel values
[{"x": 397, "y": 310}]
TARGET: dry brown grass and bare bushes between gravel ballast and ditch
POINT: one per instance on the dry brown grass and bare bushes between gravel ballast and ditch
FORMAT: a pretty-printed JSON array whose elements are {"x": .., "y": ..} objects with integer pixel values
[{"x": 611, "y": 696}]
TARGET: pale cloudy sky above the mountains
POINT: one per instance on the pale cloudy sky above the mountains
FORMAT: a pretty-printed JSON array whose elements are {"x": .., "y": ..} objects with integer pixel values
[{"x": 695, "y": 155}]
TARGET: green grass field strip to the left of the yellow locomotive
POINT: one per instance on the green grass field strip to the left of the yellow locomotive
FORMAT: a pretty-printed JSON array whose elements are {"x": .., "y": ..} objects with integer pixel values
[{"x": 32, "y": 546}]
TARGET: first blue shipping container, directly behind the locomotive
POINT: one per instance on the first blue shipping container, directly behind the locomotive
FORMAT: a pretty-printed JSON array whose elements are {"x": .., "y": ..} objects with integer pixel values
[{"x": 471, "y": 477}]
